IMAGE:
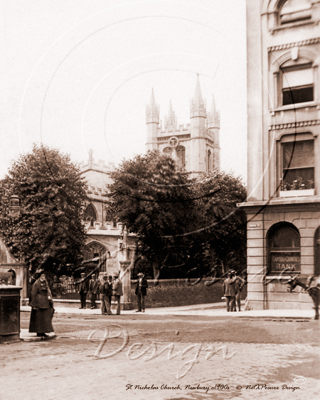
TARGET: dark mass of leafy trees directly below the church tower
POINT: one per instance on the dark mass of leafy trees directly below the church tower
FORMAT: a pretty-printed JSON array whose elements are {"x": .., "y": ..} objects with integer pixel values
[{"x": 185, "y": 226}]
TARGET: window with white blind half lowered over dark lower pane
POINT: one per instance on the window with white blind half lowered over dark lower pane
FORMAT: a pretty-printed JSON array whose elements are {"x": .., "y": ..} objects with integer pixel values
[{"x": 297, "y": 84}]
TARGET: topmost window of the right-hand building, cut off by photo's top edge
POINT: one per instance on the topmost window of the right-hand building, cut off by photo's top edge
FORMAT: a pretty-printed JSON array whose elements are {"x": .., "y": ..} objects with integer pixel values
[{"x": 293, "y": 11}]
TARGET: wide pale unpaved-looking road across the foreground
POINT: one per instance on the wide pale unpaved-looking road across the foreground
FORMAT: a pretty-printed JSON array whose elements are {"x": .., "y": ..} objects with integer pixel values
[{"x": 165, "y": 357}]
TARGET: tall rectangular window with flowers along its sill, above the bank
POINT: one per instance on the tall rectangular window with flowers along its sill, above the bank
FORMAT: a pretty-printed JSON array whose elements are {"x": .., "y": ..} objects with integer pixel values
[{"x": 298, "y": 165}]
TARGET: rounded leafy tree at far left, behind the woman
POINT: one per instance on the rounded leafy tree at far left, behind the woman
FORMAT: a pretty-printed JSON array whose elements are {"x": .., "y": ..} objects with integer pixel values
[{"x": 48, "y": 231}]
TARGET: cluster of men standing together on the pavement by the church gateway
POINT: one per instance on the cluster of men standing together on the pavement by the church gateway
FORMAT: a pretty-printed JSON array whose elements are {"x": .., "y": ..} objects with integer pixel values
[{"x": 104, "y": 288}]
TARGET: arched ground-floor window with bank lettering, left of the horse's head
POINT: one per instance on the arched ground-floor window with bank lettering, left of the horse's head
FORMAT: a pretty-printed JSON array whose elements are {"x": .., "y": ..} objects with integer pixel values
[{"x": 283, "y": 248}]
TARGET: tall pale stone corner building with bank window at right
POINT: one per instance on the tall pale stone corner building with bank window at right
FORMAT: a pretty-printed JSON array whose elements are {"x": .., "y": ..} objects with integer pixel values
[{"x": 283, "y": 207}]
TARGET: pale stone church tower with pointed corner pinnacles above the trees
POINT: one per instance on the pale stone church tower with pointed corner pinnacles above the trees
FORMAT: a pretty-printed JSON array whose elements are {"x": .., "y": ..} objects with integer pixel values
[{"x": 194, "y": 146}]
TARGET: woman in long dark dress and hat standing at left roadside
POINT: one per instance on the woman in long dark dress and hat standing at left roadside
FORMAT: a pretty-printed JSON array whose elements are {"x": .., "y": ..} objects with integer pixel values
[{"x": 42, "y": 307}]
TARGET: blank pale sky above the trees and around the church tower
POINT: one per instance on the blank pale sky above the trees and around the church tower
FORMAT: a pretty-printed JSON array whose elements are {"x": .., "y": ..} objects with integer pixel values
[{"x": 77, "y": 75}]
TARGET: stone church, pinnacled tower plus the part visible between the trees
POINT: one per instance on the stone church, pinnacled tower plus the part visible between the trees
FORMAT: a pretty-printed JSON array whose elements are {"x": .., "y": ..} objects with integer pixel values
[{"x": 195, "y": 147}]
